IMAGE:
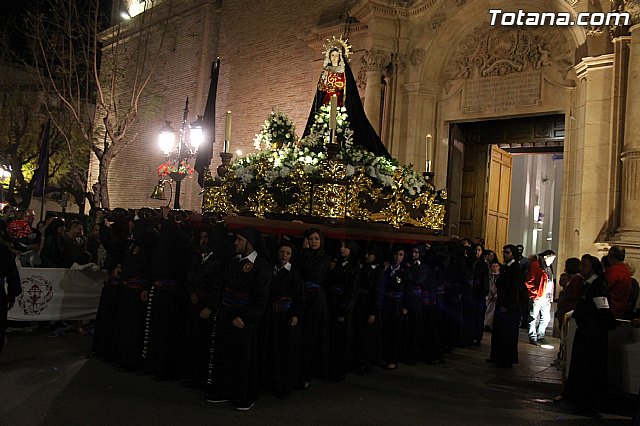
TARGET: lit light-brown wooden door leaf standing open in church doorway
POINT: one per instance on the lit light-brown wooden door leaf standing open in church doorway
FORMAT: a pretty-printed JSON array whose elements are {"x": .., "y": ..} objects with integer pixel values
[{"x": 498, "y": 199}]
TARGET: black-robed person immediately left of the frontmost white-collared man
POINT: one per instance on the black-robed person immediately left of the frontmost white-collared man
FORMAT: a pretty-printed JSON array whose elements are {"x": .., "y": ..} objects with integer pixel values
[{"x": 204, "y": 299}]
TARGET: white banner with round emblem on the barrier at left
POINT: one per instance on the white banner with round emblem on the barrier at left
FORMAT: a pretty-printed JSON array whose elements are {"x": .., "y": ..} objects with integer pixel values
[{"x": 52, "y": 294}]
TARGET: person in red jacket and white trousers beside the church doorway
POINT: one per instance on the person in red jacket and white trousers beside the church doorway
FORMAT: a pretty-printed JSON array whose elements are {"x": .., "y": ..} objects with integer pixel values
[{"x": 539, "y": 283}]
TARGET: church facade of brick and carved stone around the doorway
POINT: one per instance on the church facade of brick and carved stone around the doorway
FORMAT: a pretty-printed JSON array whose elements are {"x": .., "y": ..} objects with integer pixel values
[{"x": 422, "y": 66}]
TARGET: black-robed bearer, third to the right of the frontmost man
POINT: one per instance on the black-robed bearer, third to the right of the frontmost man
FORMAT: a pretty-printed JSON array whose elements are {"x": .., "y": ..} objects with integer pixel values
[{"x": 344, "y": 279}]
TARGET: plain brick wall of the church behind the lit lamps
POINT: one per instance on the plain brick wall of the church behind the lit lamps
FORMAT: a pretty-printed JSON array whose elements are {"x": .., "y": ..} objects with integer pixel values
[{"x": 265, "y": 63}]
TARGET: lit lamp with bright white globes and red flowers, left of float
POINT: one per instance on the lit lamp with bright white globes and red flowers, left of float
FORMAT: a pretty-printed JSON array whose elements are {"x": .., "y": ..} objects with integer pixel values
[{"x": 178, "y": 154}]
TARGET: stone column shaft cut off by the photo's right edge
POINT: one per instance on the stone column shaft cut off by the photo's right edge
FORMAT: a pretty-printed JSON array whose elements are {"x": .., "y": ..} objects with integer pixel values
[{"x": 630, "y": 157}]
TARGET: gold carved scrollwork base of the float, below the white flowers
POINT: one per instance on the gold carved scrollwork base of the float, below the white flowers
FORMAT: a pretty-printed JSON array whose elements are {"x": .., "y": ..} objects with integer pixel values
[{"x": 330, "y": 195}]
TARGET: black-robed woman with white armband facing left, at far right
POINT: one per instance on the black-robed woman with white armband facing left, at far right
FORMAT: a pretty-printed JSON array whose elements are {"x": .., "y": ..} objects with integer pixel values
[{"x": 586, "y": 385}]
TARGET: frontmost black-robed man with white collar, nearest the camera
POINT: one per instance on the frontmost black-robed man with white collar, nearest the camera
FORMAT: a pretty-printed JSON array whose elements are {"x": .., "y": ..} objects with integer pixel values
[{"x": 245, "y": 294}]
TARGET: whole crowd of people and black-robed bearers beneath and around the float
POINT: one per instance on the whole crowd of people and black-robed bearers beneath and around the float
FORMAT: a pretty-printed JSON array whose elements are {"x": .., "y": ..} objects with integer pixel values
[{"x": 236, "y": 312}]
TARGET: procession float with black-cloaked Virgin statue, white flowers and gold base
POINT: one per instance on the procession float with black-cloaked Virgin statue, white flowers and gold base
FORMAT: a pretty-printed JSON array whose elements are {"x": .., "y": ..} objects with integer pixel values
[{"x": 338, "y": 172}]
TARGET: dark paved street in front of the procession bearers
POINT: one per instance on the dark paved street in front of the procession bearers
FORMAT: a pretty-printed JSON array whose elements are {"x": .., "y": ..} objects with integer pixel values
[{"x": 49, "y": 381}]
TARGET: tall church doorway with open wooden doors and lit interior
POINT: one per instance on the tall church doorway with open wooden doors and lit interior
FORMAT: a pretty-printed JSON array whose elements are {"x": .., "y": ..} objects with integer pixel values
[{"x": 505, "y": 181}]
